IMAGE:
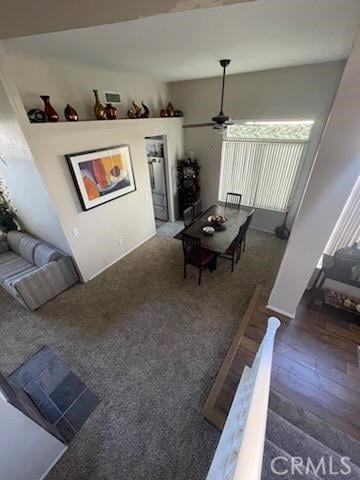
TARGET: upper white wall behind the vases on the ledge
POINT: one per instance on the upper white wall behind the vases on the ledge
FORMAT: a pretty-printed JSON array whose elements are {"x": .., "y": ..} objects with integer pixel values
[{"x": 66, "y": 83}]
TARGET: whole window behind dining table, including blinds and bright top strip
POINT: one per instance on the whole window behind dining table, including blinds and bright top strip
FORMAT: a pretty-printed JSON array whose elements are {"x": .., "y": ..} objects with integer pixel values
[{"x": 262, "y": 160}]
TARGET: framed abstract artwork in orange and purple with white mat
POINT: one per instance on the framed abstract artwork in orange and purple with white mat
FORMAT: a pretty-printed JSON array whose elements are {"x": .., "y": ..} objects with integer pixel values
[{"x": 102, "y": 175}]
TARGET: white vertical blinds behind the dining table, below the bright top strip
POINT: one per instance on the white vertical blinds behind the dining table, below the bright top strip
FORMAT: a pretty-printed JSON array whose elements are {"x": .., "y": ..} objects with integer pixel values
[{"x": 264, "y": 172}]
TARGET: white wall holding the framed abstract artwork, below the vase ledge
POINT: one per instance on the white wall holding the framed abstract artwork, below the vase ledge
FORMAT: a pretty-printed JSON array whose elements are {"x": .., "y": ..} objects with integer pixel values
[{"x": 111, "y": 230}]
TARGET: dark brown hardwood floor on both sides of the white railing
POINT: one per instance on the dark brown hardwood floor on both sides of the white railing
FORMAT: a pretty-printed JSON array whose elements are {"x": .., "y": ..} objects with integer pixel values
[{"x": 314, "y": 364}]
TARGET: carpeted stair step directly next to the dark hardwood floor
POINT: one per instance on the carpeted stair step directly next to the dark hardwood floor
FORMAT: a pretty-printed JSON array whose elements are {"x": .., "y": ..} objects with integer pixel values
[{"x": 338, "y": 441}]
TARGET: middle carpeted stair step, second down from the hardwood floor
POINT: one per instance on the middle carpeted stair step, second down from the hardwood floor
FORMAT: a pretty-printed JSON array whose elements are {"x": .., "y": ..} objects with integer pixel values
[{"x": 298, "y": 443}]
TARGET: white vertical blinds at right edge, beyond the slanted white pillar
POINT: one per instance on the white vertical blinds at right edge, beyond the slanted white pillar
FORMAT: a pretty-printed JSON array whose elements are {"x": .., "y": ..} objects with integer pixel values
[{"x": 347, "y": 228}]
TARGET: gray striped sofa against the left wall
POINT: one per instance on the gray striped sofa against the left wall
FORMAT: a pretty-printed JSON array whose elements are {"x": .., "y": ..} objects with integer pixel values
[{"x": 33, "y": 271}]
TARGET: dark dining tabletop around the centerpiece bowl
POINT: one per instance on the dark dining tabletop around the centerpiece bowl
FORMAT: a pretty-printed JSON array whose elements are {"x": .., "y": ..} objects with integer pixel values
[{"x": 221, "y": 240}]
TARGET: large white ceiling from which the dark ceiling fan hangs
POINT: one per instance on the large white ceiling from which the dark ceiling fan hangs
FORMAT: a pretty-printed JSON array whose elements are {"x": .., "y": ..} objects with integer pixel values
[{"x": 256, "y": 36}]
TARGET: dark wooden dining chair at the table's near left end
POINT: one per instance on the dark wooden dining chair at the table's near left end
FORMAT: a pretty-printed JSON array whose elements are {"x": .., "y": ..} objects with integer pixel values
[{"x": 196, "y": 256}]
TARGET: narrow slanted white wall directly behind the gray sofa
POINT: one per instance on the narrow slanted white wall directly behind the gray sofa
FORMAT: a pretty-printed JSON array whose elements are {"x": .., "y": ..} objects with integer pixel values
[{"x": 28, "y": 192}]
